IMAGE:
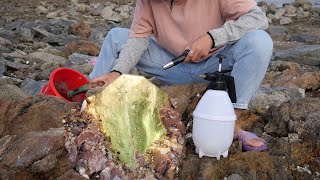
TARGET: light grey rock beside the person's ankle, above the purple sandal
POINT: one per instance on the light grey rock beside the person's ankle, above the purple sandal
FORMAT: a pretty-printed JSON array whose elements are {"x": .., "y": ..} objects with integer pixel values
[{"x": 267, "y": 97}]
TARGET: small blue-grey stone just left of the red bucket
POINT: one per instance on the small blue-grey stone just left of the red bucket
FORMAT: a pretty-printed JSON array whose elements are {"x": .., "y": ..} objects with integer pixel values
[{"x": 32, "y": 87}]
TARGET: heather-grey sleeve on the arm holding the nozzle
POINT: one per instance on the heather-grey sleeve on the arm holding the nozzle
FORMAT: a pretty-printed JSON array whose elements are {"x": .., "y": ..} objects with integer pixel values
[{"x": 237, "y": 24}]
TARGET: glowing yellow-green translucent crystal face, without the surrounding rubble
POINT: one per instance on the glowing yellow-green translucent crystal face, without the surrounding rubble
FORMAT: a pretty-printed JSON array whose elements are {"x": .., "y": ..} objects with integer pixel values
[{"x": 129, "y": 111}]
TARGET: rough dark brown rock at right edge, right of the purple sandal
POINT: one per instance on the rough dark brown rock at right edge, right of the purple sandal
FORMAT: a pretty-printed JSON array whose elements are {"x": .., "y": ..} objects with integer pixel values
[{"x": 296, "y": 117}]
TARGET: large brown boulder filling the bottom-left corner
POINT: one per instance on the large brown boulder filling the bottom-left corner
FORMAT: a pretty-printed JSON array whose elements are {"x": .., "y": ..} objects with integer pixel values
[{"x": 33, "y": 154}]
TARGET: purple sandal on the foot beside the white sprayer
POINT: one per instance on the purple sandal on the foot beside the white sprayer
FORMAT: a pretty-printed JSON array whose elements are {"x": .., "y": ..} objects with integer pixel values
[{"x": 244, "y": 136}]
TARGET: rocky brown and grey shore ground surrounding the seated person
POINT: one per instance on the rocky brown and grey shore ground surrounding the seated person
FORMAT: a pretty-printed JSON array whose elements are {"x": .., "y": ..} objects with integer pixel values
[{"x": 37, "y": 37}]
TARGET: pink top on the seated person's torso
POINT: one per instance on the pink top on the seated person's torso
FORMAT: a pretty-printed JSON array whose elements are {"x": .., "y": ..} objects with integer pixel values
[{"x": 176, "y": 29}]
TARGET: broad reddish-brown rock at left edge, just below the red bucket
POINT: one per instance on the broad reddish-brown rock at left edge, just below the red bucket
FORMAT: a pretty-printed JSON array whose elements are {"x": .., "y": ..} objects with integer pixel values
[{"x": 38, "y": 113}]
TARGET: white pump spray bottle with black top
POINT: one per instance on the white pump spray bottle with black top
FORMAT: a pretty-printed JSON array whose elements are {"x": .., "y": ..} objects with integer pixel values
[{"x": 214, "y": 117}]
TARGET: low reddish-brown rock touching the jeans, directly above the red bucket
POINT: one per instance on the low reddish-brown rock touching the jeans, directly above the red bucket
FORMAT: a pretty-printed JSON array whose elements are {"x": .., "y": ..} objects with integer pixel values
[{"x": 83, "y": 47}]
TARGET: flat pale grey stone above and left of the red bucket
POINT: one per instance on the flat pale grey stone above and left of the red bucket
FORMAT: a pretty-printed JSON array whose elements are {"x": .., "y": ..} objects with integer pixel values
[{"x": 41, "y": 57}]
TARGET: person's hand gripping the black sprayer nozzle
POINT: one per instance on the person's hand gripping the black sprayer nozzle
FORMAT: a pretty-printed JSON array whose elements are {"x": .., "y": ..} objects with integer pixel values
[{"x": 199, "y": 49}]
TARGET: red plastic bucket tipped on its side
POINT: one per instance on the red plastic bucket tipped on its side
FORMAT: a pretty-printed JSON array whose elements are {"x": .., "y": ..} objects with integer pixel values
[{"x": 63, "y": 80}]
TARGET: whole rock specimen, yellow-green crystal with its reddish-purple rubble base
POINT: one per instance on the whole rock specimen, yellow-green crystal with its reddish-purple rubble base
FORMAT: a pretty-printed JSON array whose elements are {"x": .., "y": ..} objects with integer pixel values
[{"x": 141, "y": 127}]
